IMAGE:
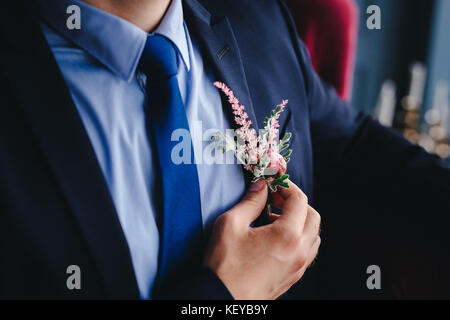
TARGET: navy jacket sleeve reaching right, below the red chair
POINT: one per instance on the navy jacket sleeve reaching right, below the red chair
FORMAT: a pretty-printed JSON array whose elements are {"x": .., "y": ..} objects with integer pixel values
[{"x": 380, "y": 165}]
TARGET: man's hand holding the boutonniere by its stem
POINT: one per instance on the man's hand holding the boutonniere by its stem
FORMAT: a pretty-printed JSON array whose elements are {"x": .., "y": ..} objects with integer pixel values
[{"x": 264, "y": 262}]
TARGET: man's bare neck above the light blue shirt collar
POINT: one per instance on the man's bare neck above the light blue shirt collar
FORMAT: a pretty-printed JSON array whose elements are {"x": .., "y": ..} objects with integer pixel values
[{"x": 146, "y": 14}]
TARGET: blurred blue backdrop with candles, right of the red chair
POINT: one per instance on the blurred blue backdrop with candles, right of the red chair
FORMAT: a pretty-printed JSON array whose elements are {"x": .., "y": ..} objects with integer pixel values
[{"x": 402, "y": 71}]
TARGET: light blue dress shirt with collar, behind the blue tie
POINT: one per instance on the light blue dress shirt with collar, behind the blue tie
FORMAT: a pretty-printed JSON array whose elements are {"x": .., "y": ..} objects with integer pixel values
[{"x": 99, "y": 64}]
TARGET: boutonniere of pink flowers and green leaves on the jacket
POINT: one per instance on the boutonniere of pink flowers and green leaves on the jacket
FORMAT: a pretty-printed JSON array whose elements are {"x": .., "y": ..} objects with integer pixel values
[{"x": 264, "y": 154}]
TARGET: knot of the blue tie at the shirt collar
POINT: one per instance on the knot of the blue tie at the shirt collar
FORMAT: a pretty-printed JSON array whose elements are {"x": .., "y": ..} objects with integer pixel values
[{"x": 159, "y": 58}]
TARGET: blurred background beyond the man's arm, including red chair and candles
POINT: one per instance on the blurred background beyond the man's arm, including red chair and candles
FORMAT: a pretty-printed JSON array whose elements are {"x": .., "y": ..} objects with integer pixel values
[{"x": 400, "y": 73}]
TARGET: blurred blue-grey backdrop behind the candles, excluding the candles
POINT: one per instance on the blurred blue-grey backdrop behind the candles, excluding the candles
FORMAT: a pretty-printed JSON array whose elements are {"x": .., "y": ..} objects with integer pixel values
[{"x": 412, "y": 31}]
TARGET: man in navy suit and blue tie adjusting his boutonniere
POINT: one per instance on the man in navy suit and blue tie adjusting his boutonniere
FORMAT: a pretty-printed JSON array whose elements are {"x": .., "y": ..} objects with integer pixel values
[{"x": 86, "y": 122}]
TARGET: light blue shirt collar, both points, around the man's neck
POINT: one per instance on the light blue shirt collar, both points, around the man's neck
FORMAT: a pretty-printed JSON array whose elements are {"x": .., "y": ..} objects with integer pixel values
[{"x": 115, "y": 42}]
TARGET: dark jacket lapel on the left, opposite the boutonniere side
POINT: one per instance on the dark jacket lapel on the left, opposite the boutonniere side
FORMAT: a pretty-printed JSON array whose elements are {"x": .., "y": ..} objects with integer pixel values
[{"x": 41, "y": 92}]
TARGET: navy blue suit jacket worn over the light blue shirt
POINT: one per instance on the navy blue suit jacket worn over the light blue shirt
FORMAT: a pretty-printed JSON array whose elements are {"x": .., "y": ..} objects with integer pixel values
[{"x": 55, "y": 209}]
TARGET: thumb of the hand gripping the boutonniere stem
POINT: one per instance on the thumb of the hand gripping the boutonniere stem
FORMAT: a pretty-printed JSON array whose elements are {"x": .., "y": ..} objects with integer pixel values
[{"x": 253, "y": 202}]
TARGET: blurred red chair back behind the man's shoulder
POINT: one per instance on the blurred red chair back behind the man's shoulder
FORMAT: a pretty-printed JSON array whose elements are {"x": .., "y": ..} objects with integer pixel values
[{"x": 329, "y": 29}]
